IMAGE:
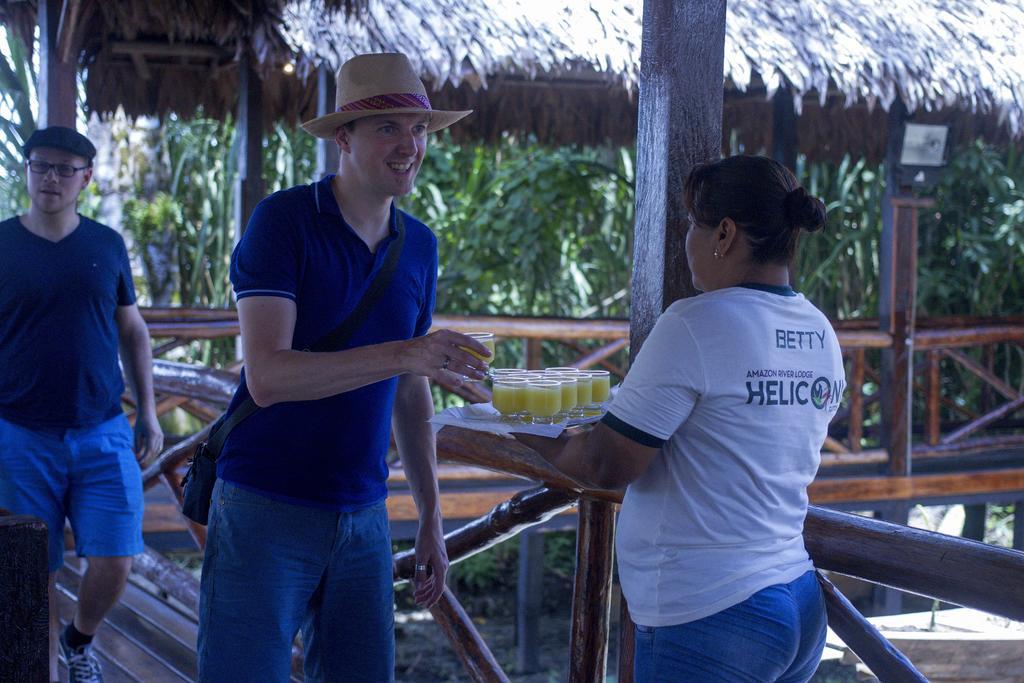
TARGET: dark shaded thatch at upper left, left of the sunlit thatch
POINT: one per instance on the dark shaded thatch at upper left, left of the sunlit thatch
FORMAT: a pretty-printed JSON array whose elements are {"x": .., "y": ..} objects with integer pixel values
[{"x": 155, "y": 57}]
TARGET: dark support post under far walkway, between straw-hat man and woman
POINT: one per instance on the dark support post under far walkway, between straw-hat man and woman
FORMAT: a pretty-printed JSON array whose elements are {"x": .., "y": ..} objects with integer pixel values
[{"x": 530, "y": 603}]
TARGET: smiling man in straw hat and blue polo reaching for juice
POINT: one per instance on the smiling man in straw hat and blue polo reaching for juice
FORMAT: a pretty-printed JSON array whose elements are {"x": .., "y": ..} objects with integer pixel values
[{"x": 298, "y": 535}]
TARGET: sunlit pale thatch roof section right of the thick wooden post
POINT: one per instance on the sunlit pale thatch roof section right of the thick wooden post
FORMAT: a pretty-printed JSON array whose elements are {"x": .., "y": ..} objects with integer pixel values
[{"x": 931, "y": 54}]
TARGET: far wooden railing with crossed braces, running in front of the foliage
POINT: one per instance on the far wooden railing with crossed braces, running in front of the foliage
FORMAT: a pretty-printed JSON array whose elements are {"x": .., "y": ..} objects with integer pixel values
[{"x": 944, "y": 348}]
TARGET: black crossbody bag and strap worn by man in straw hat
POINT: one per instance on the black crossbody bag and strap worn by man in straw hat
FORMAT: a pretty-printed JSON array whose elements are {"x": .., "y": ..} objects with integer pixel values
[{"x": 202, "y": 476}]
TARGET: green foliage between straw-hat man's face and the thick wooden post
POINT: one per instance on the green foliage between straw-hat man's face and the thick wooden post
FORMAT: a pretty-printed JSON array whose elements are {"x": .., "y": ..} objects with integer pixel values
[{"x": 524, "y": 230}]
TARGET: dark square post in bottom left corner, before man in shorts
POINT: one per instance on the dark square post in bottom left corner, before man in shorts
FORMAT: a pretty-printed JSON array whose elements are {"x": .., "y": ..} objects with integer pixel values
[{"x": 24, "y": 609}]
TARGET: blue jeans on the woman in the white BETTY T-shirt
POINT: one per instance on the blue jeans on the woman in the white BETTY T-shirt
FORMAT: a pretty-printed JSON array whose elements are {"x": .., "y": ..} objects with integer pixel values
[{"x": 778, "y": 634}]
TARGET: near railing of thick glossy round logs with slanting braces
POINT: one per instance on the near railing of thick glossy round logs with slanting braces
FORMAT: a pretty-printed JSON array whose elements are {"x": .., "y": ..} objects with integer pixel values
[{"x": 948, "y": 569}]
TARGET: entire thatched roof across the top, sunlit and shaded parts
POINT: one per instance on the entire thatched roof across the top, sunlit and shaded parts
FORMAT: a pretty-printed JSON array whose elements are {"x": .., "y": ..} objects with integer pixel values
[{"x": 567, "y": 70}]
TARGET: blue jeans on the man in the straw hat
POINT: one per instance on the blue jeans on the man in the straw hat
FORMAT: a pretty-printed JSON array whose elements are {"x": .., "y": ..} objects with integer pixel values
[{"x": 273, "y": 569}]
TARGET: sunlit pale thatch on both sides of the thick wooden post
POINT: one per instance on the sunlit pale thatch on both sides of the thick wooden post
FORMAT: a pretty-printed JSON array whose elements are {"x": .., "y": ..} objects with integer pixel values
[{"x": 932, "y": 54}]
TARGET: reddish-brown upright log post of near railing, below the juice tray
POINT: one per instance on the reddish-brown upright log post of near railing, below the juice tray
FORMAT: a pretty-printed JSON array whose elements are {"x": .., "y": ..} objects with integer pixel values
[{"x": 592, "y": 592}]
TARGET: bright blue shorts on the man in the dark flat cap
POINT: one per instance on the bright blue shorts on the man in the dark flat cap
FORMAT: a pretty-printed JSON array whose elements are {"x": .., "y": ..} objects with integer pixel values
[{"x": 88, "y": 476}]
